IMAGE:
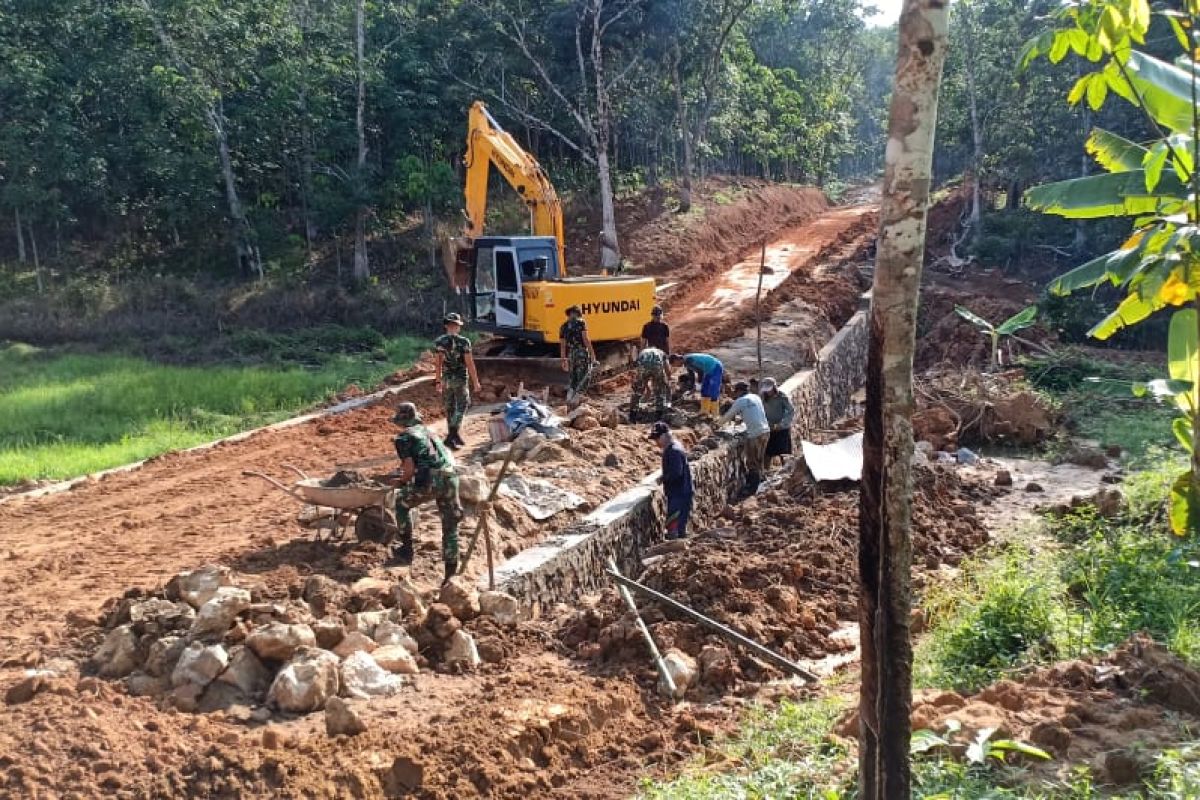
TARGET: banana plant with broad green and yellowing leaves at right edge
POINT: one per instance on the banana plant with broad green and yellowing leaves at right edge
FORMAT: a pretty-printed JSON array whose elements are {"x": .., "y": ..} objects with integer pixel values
[{"x": 1157, "y": 185}]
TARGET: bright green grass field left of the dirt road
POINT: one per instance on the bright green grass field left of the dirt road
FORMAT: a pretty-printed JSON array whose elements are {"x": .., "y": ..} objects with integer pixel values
[{"x": 67, "y": 414}]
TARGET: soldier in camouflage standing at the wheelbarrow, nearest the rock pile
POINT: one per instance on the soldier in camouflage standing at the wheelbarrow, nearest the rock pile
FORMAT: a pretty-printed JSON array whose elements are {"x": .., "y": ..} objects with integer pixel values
[{"x": 427, "y": 473}]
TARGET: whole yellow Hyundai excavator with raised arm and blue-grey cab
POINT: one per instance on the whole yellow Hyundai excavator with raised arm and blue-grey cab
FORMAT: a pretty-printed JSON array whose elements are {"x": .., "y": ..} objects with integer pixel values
[{"x": 518, "y": 287}]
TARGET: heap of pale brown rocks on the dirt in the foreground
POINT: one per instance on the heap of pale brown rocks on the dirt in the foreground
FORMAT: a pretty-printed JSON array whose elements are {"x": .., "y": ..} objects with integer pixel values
[{"x": 209, "y": 641}]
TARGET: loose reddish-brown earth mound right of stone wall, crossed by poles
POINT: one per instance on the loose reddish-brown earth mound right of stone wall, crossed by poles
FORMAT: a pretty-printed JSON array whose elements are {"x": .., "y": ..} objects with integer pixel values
[{"x": 782, "y": 570}]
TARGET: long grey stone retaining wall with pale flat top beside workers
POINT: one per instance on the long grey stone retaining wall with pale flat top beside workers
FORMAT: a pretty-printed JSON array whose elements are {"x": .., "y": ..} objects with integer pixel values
[{"x": 574, "y": 561}]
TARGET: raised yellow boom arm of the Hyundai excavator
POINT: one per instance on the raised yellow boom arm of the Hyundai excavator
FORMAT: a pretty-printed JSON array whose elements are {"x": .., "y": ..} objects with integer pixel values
[{"x": 489, "y": 145}]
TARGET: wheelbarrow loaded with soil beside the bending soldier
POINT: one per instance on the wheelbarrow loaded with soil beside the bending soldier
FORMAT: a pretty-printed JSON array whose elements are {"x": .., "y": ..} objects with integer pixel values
[{"x": 337, "y": 508}]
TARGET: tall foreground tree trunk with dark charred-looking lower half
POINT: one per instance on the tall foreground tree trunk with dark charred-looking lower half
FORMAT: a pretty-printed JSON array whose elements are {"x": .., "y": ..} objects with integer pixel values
[{"x": 885, "y": 515}]
